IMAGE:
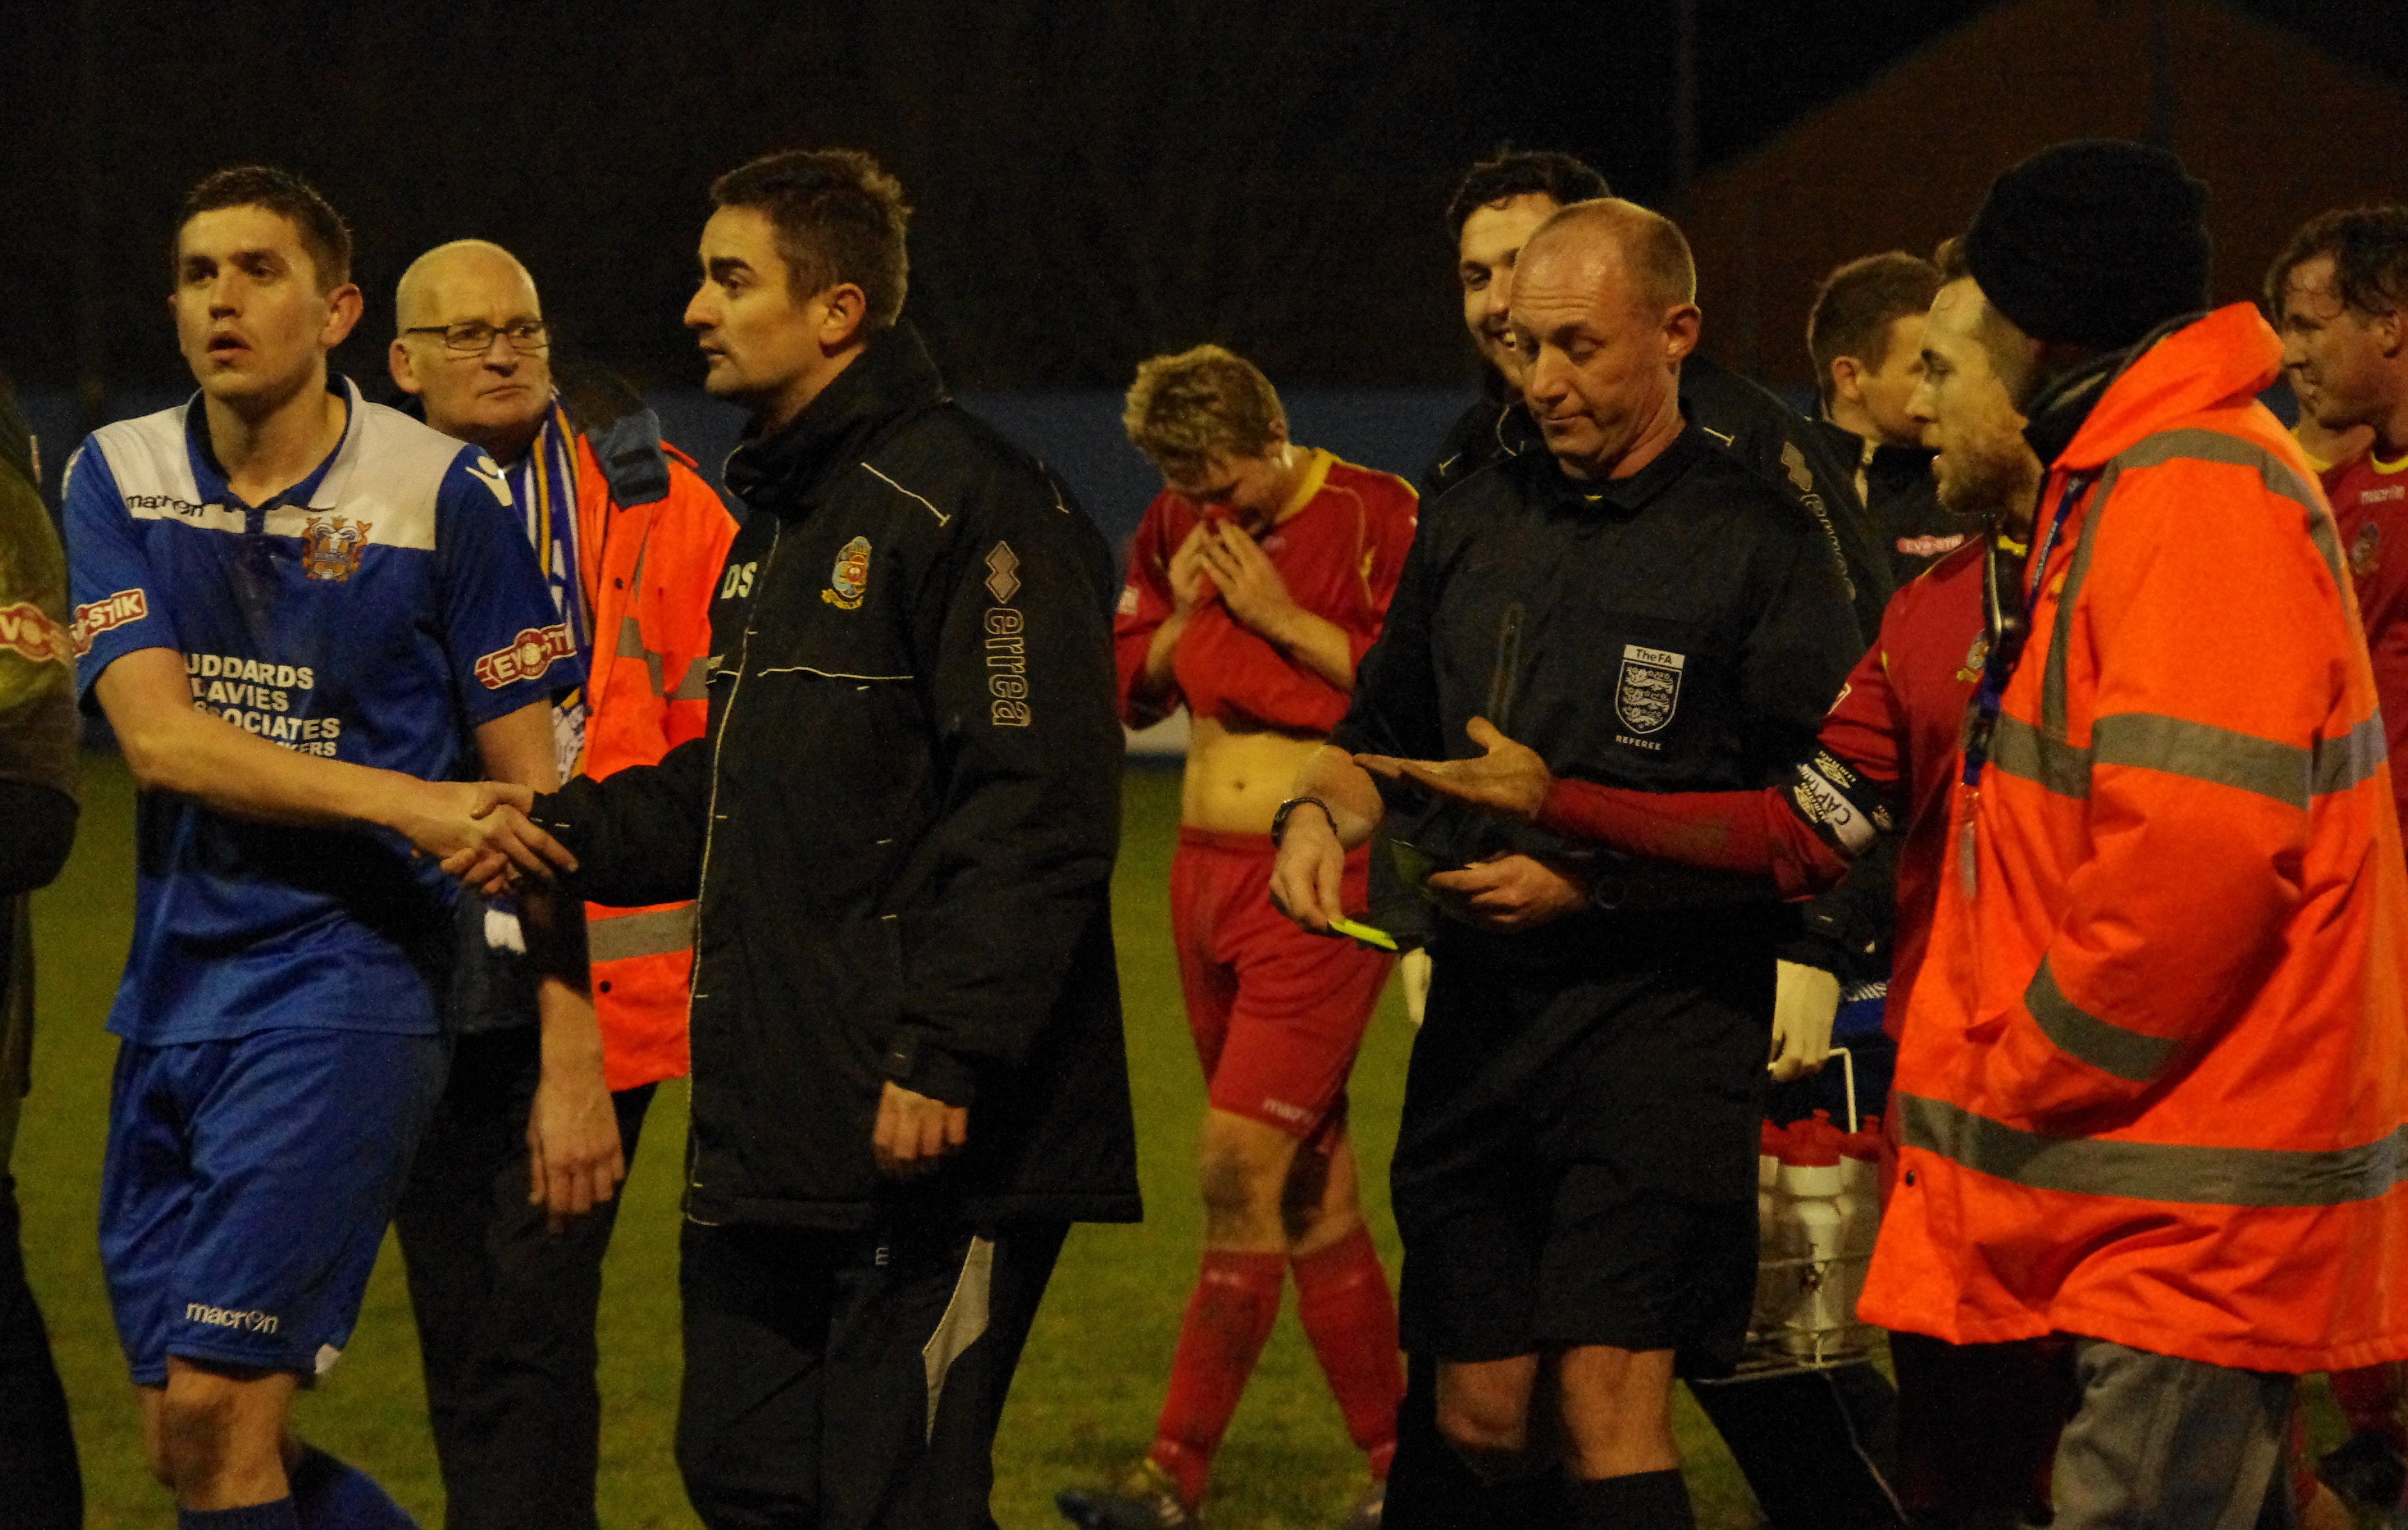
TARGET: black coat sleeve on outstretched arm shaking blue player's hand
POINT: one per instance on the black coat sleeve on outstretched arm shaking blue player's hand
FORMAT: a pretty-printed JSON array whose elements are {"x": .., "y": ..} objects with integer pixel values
[{"x": 637, "y": 837}]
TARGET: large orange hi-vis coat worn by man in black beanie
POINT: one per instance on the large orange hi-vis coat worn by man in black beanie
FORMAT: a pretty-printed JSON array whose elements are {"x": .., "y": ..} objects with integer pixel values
[{"x": 2152, "y": 1083}]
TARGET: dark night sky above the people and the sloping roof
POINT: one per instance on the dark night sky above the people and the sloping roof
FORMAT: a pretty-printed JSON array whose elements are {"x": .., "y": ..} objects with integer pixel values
[{"x": 1094, "y": 182}]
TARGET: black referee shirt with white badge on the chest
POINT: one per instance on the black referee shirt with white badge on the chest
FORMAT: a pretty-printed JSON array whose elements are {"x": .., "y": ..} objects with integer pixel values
[{"x": 1677, "y": 630}]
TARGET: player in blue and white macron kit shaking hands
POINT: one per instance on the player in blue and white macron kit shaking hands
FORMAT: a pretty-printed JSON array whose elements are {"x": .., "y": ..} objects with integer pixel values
[{"x": 305, "y": 616}]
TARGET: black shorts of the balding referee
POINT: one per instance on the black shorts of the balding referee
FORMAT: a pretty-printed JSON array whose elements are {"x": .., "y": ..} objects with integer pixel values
[{"x": 1578, "y": 1160}]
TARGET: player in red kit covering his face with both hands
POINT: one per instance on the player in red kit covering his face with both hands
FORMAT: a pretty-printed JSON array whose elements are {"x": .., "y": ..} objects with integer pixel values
[{"x": 1258, "y": 582}]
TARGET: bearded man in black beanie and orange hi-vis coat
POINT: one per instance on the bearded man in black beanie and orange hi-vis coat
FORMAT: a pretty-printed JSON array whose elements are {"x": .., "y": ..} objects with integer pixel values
[{"x": 2152, "y": 1076}]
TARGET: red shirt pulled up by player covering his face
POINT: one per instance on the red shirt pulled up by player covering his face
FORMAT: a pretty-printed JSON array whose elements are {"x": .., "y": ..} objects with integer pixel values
[{"x": 1340, "y": 558}]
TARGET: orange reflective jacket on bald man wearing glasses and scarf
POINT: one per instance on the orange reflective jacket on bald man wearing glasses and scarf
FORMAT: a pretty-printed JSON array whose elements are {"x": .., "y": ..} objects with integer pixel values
[{"x": 649, "y": 577}]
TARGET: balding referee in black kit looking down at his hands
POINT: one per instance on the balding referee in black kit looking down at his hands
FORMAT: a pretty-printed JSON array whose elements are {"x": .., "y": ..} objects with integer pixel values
[{"x": 1576, "y": 1170}]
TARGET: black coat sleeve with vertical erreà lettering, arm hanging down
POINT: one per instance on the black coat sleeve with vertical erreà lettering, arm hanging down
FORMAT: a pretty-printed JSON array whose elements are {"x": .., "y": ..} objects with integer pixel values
[{"x": 1017, "y": 635}]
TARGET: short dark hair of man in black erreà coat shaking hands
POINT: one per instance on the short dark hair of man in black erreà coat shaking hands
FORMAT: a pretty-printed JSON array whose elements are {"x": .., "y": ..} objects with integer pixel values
[{"x": 839, "y": 220}]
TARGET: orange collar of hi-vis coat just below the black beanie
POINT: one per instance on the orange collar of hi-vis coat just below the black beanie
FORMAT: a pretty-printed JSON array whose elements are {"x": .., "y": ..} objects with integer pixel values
[{"x": 2219, "y": 360}]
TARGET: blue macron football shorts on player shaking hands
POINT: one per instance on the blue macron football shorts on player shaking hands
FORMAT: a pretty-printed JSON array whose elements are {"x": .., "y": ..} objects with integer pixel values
[{"x": 249, "y": 1187}]
